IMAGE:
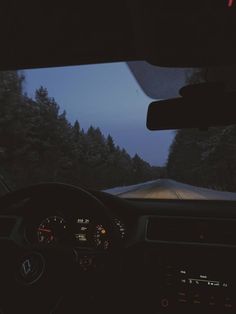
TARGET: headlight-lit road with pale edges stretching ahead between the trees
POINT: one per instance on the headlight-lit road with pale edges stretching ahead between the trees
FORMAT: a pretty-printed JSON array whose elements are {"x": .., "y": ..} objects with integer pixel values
[{"x": 170, "y": 189}]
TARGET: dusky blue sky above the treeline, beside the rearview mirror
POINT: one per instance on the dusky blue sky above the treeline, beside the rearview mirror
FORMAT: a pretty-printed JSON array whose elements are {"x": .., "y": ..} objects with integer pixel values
[{"x": 105, "y": 96}]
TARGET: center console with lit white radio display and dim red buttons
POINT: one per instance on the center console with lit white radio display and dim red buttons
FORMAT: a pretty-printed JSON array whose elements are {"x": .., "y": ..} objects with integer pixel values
[{"x": 192, "y": 280}]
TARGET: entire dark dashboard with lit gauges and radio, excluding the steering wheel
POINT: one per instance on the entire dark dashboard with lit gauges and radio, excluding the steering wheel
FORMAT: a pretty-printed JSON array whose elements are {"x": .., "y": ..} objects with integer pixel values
[{"x": 175, "y": 256}]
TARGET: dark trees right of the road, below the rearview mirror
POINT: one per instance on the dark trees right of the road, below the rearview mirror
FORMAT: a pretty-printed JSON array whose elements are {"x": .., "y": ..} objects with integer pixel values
[{"x": 204, "y": 158}]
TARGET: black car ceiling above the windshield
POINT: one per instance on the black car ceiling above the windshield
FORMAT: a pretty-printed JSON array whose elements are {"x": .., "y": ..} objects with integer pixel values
[{"x": 45, "y": 34}]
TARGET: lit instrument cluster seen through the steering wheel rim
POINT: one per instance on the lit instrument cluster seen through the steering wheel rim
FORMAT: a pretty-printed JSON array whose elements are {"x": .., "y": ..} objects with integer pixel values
[{"x": 80, "y": 231}]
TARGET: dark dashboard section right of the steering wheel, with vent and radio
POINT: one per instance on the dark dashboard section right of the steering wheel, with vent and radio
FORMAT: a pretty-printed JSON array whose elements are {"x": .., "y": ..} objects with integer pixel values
[{"x": 182, "y": 255}]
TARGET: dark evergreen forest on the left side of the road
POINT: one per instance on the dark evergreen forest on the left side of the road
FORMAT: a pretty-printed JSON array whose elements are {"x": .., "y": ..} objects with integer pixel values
[{"x": 38, "y": 144}]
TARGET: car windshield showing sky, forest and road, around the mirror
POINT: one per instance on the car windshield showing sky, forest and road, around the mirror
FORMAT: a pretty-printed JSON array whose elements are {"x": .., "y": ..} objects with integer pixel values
[{"x": 86, "y": 125}]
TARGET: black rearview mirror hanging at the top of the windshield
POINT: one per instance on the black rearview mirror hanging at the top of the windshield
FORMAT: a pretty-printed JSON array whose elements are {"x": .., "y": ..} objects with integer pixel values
[{"x": 199, "y": 107}]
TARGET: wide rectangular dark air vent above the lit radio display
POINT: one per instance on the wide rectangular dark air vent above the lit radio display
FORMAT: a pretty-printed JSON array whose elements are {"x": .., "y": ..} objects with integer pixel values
[{"x": 192, "y": 230}]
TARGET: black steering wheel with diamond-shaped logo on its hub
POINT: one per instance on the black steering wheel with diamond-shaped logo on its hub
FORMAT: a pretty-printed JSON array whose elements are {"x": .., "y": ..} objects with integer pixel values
[{"x": 34, "y": 278}]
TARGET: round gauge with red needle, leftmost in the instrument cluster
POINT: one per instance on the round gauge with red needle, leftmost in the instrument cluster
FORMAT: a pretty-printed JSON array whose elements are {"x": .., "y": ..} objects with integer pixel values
[{"x": 51, "y": 230}]
